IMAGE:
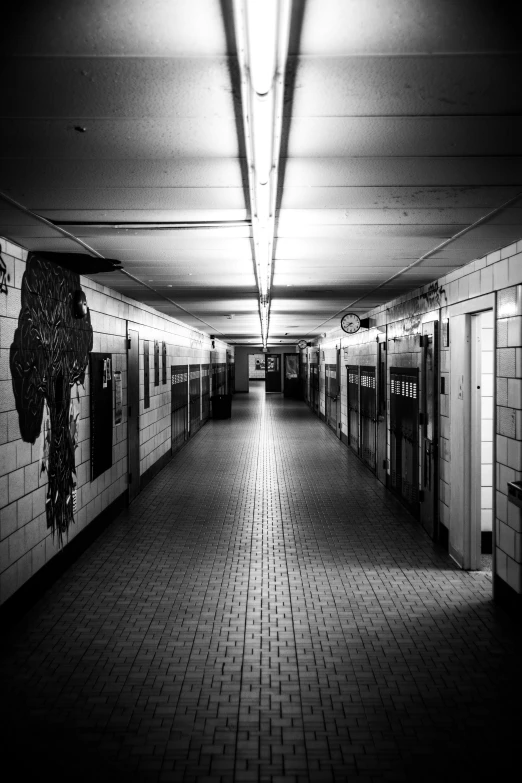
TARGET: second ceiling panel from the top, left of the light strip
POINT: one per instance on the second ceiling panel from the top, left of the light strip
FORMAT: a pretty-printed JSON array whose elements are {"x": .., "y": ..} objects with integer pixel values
[{"x": 131, "y": 87}]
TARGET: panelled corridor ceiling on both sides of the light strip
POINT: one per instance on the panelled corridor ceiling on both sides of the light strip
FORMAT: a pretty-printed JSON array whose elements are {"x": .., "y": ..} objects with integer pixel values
[{"x": 122, "y": 122}]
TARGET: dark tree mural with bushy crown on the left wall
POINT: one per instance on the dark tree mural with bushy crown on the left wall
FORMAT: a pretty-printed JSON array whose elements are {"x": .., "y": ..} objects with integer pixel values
[{"x": 48, "y": 357}]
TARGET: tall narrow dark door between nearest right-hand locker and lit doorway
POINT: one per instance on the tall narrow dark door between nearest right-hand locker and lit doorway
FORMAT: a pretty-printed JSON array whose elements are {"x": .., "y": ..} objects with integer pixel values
[{"x": 429, "y": 430}]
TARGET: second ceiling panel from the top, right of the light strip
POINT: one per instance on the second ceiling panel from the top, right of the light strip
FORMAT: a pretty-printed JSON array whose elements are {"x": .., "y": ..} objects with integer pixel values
[{"x": 405, "y": 85}]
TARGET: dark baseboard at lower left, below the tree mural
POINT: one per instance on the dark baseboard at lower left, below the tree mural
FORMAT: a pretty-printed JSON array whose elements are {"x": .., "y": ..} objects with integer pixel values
[{"x": 30, "y": 592}]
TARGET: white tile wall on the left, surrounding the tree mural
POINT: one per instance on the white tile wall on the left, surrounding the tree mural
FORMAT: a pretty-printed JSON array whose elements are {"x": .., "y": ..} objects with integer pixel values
[{"x": 26, "y": 543}]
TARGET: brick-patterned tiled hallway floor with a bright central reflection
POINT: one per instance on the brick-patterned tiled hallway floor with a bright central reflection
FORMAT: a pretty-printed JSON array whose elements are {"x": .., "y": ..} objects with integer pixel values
[{"x": 265, "y": 611}]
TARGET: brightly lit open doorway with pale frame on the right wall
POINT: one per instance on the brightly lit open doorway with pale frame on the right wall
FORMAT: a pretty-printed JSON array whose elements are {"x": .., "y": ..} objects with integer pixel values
[{"x": 472, "y": 430}]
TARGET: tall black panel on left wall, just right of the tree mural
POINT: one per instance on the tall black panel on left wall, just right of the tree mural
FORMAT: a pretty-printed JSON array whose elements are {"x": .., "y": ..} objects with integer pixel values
[{"x": 101, "y": 413}]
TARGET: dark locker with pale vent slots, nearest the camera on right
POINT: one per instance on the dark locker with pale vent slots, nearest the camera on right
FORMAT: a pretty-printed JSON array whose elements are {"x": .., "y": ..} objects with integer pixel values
[{"x": 404, "y": 436}]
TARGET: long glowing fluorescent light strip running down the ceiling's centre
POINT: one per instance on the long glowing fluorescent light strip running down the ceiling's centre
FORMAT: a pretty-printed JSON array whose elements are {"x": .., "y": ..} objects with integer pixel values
[{"x": 262, "y": 33}]
